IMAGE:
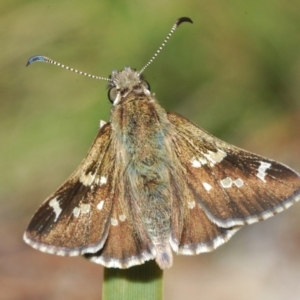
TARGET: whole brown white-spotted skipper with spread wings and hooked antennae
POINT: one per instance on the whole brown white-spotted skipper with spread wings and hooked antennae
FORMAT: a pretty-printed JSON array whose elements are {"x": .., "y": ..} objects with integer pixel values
[{"x": 154, "y": 183}]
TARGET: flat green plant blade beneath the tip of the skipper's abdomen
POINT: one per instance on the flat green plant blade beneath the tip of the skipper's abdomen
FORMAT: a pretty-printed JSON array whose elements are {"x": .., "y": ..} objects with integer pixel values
[{"x": 144, "y": 282}]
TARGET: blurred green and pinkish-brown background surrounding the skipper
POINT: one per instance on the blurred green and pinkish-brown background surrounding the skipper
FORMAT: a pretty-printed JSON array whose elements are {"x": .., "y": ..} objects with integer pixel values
[{"x": 234, "y": 72}]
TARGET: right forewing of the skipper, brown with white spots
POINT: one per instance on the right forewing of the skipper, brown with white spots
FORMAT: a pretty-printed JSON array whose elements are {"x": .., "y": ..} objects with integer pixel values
[{"x": 232, "y": 186}]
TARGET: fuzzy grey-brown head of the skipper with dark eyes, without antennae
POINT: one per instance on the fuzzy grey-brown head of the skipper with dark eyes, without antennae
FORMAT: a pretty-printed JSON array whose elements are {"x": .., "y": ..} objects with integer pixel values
[{"x": 124, "y": 83}]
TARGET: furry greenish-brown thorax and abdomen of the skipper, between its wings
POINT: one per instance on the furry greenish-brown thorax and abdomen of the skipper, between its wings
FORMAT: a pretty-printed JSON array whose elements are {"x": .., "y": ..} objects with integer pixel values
[{"x": 140, "y": 132}]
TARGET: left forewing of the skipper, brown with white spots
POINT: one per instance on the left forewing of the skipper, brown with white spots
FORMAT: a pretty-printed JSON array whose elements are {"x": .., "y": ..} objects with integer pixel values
[{"x": 75, "y": 219}]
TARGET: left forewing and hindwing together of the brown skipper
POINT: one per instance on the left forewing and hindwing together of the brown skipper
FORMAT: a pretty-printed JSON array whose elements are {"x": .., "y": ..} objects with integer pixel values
[{"x": 85, "y": 214}]
